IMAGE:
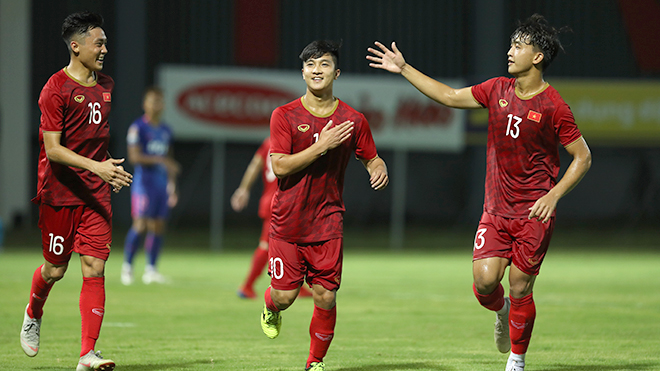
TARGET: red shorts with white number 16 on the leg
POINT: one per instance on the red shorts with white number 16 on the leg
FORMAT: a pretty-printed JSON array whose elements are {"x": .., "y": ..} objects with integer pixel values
[{"x": 81, "y": 229}]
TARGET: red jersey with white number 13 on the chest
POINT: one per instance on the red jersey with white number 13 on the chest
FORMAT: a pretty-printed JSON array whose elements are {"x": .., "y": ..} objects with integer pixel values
[{"x": 523, "y": 140}]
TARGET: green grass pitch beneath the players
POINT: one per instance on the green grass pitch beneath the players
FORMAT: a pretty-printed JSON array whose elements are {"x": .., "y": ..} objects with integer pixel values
[{"x": 597, "y": 309}]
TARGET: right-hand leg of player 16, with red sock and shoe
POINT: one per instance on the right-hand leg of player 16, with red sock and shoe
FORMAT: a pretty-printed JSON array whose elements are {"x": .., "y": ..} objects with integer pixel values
[{"x": 93, "y": 244}]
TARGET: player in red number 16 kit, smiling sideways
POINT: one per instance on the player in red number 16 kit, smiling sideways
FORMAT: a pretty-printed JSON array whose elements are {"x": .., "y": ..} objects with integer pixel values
[{"x": 75, "y": 178}]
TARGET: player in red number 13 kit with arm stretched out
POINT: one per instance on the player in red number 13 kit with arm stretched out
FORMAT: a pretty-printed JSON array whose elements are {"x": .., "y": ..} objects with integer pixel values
[{"x": 527, "y": 120}]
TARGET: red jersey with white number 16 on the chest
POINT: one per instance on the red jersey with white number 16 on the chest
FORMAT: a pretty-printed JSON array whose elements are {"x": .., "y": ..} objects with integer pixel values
[{"x": 80, "y": 112}]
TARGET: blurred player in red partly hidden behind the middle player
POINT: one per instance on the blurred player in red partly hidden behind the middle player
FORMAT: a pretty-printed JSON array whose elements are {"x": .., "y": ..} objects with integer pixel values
[{"x": 260, "y": 164}]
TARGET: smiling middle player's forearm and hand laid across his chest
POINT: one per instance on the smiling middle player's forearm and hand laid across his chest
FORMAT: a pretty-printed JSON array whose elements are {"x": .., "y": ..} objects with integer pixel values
[{"x": 329, "y": 138}]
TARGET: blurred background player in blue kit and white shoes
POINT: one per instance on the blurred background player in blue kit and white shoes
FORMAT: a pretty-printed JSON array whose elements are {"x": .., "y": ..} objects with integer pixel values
[{"x": 154, "y": 186}]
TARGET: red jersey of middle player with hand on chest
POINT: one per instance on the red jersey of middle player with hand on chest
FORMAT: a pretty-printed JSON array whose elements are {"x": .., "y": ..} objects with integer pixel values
[{"x": 308, "y": 205}]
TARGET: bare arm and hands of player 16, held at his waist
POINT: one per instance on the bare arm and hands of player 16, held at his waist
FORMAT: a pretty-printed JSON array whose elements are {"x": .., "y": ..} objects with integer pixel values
[{"x": 109, "y": 170}]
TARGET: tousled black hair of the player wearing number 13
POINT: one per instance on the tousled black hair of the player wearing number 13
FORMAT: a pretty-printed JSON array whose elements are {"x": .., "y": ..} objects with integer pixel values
[{"x": 536, "y": 31}]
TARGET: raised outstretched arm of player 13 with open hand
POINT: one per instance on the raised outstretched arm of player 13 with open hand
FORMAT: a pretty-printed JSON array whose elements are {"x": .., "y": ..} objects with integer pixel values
[{"x": 393, "y": 61}]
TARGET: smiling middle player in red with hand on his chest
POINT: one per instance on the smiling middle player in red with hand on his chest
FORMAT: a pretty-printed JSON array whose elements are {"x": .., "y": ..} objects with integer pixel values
[{"x": 312, "y": 140}]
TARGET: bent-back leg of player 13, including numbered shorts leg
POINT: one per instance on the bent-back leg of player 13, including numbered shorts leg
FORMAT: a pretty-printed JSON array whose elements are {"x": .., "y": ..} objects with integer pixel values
[{"x": 491, "y": 256}]
